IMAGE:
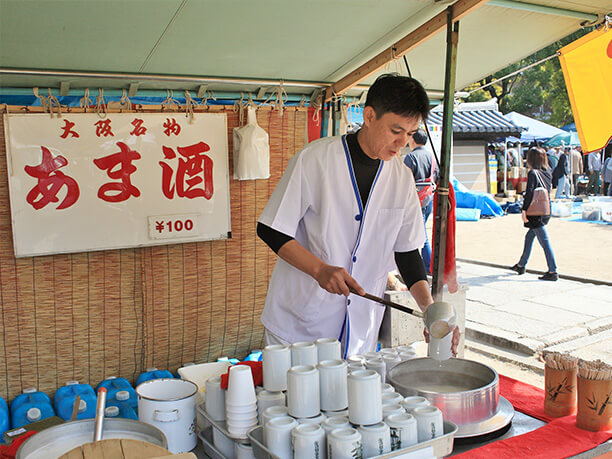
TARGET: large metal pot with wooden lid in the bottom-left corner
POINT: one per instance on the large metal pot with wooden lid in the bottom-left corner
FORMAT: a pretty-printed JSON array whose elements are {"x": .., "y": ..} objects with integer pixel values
[{"x": 60, "y": 439}]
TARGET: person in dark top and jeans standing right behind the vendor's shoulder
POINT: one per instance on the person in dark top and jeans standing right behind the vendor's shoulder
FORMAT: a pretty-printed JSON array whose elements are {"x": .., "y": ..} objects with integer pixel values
[{"x": 421, "y": 162}]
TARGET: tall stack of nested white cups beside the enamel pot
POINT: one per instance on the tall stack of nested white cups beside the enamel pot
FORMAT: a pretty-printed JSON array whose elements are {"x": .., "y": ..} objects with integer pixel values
[{"x": 240, "y": 401}]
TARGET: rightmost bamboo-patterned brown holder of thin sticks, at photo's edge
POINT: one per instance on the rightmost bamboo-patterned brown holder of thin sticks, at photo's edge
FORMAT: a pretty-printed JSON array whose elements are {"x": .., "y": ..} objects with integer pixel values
[{"x": 594, "y": 404}]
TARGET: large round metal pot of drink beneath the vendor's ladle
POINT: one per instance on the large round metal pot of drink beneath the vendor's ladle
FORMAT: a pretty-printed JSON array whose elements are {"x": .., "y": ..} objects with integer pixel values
[{"x": 466, "y": 392}]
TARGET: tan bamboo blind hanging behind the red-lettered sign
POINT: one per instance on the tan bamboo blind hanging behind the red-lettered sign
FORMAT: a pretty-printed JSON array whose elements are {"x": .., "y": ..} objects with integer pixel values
[{"x": 88, "y": 316}]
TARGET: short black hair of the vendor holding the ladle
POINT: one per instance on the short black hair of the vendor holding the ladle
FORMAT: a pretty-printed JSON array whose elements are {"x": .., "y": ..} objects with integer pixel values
[{"x": 398, "y": 94}]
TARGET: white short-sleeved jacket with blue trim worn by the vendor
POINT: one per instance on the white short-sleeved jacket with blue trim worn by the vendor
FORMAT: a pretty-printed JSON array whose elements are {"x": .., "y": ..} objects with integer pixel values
[{"x": 317, "y": 202}]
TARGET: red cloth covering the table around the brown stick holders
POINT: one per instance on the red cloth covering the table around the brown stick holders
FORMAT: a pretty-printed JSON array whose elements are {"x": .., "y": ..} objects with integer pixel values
[{"x": 559, "y": 438}]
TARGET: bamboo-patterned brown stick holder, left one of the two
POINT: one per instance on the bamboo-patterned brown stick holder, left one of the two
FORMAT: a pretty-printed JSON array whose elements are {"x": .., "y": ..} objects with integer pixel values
[{"x": 560, "y": 396}]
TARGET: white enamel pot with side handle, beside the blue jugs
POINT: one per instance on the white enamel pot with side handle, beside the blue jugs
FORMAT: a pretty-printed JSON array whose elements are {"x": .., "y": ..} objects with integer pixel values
[{"x": 170, "y": 405}]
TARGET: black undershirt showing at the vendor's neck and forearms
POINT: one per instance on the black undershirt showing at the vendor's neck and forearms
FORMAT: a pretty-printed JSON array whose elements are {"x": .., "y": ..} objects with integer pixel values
[{"x": 410, "y": 264}]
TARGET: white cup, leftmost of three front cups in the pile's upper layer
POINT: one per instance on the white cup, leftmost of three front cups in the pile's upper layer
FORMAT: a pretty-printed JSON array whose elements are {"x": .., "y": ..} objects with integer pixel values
[{"x": 303, "y": 393}]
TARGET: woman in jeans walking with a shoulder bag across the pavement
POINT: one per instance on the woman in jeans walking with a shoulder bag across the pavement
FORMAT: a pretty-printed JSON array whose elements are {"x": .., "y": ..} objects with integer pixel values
[{"x": 539, "y": 177}]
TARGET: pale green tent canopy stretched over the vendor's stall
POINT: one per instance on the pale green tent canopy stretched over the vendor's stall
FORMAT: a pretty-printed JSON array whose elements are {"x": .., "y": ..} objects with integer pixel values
[{"x": 319, "y": 41}]
